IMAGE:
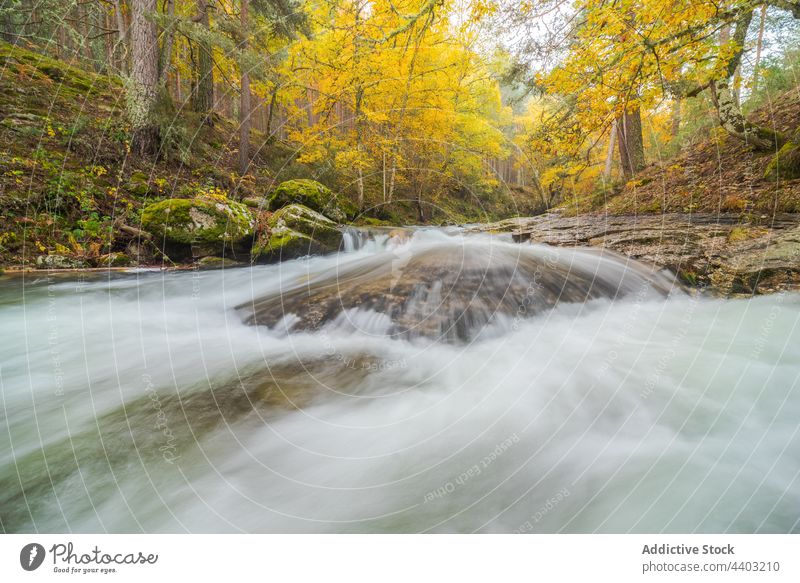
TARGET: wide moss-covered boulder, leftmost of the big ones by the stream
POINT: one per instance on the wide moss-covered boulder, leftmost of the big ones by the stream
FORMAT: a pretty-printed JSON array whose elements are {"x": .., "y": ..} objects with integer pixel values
[{"x": 208, "y": 225}]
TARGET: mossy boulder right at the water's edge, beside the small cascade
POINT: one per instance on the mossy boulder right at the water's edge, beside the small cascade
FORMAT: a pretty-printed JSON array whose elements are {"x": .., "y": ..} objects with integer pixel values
[{"x": 295, "y": 231}]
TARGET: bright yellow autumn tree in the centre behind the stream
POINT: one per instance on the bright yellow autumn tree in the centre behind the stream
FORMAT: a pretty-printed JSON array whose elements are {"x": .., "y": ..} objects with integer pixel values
[{"x": 400, "y": 103}]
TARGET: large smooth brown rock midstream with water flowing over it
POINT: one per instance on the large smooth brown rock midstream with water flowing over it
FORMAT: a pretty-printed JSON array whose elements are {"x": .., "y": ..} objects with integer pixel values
[{"x": 451, "y": 291}]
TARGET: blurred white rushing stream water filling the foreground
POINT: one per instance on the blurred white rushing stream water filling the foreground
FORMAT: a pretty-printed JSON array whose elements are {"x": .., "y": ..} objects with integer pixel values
[{"x": 145, "y": 402}]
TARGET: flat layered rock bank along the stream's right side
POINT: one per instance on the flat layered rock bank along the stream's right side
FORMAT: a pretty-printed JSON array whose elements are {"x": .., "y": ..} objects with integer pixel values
[{"x": 725, "y": 254}]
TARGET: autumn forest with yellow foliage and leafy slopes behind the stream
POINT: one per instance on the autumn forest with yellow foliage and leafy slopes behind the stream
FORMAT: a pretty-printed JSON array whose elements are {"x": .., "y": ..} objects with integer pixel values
[{"x": 412, "y": 111}]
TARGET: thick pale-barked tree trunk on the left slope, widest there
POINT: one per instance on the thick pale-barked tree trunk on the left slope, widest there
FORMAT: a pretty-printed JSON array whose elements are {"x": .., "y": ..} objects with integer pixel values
[{"x": 143, "y": 88}]
